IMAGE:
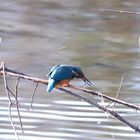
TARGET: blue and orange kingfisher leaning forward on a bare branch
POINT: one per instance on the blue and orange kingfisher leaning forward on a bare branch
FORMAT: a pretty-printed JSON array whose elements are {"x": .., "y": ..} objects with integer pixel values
[{"x": 61, "y": 75}]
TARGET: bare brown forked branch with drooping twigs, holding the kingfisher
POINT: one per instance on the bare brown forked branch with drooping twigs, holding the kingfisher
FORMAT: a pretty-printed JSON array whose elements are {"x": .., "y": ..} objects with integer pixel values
[{"x": 10, "y": 72}]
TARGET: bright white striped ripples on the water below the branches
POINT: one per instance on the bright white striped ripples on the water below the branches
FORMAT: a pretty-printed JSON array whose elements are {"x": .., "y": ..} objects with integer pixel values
[{"x": 65, "y": 119}]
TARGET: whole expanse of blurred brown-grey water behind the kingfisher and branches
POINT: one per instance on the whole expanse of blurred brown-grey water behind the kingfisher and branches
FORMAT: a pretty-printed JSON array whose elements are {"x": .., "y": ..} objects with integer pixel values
[{"x": 37, "y": 34}]
